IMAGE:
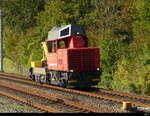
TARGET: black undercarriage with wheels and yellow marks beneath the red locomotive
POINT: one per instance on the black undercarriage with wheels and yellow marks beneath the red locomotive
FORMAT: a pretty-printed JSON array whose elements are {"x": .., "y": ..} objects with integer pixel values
[{"x": 66, "y": 79}]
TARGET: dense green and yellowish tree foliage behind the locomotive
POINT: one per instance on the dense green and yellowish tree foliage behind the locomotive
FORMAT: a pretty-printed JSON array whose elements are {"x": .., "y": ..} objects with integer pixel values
[{"x": 120, "y": 28}]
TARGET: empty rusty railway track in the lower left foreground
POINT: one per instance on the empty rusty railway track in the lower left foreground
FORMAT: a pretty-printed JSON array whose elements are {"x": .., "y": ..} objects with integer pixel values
[{"x": 59, "y": 101}]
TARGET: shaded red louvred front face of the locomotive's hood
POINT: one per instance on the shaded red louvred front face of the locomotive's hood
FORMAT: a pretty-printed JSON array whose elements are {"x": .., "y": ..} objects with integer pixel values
[{"x": 82, "y": 59}]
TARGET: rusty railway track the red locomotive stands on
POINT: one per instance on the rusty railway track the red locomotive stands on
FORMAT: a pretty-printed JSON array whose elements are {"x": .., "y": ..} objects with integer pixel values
[{"x": 138, "y": 101}]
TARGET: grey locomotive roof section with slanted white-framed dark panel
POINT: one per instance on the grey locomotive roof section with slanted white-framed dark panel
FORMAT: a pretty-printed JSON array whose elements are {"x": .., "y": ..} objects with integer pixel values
[{"x": 65, "y": 31}]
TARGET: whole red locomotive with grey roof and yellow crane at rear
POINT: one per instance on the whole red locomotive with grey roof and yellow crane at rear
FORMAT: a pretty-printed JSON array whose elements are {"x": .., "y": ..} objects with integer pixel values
[{"x": 67, "y": 61}]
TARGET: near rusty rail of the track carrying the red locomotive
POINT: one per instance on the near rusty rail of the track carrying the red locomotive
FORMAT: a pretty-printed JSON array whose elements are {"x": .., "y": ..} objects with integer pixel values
[{"x": 105, "y": 97}]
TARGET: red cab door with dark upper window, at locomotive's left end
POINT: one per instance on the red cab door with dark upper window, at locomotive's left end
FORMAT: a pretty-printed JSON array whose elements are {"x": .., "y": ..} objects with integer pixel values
[{"x": 52, "y": 55}]
